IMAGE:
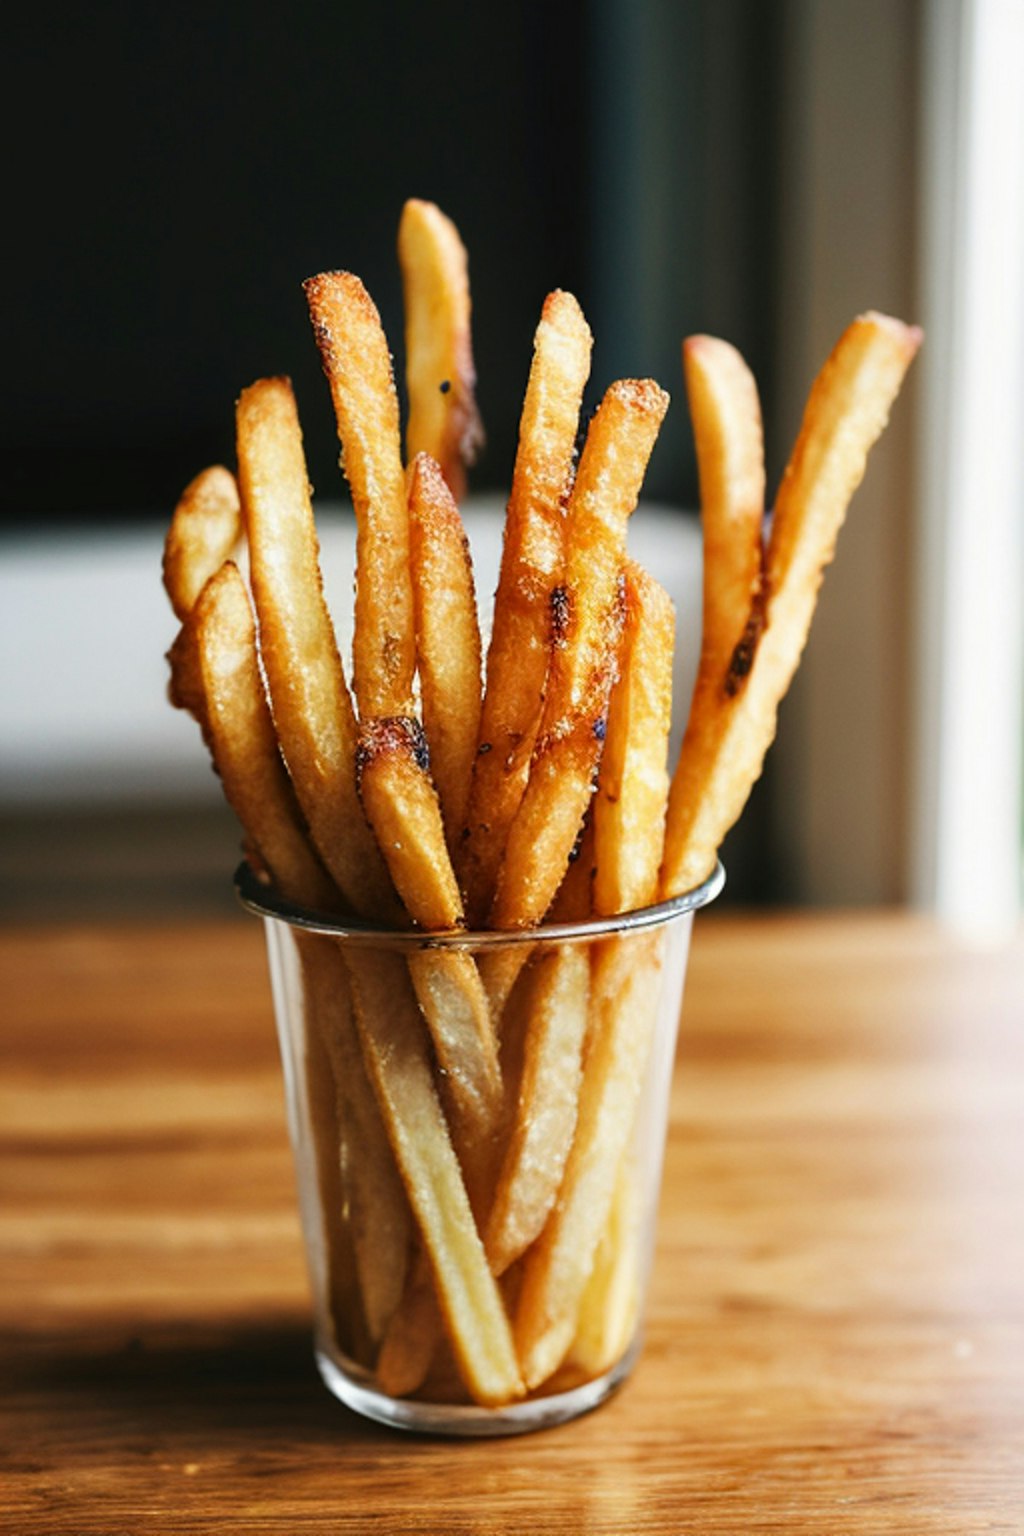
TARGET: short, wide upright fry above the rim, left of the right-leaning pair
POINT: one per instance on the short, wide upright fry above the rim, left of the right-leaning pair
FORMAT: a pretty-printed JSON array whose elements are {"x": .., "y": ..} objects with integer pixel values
[{"x": 633, "y": 783}]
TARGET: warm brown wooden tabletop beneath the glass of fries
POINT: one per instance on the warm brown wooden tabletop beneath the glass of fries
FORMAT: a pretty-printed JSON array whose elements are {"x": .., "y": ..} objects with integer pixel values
[{"x": 837, "y": 1323}]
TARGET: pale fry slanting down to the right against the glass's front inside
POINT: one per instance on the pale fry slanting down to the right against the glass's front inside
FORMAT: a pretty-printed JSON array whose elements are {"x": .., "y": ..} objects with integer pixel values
[{"x": 400, "y": 1068}]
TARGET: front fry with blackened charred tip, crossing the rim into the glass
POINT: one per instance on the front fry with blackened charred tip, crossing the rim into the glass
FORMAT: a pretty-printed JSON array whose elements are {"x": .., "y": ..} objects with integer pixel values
[{"x": 403, "y": 809}]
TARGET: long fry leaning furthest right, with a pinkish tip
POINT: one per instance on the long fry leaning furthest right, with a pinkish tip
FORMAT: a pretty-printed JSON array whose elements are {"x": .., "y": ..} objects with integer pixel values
[{"x": 738, "y": 709}]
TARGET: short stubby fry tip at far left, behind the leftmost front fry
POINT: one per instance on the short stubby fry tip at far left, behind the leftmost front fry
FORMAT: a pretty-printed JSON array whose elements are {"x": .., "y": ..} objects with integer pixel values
[{"x": 205, "y": 532}]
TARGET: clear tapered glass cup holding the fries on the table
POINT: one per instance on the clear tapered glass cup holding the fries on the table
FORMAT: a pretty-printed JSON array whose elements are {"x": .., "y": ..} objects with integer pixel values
[{"x": 478, "y": 1199}]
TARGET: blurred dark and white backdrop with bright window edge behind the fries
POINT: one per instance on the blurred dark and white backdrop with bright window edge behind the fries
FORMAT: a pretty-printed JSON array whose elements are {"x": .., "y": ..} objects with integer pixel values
[{"x": 762, "y": 171}]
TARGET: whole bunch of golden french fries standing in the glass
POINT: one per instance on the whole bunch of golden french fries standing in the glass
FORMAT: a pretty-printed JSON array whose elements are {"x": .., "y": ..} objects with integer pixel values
[{"x": 474, "y": 1113}]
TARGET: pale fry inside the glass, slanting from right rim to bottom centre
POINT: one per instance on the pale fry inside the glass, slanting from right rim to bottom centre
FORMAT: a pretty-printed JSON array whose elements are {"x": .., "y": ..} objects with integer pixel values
[{"x": 626, "y": 987}]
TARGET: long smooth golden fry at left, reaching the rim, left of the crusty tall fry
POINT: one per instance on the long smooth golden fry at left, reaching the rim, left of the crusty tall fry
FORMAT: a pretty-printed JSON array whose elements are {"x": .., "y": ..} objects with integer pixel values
[{"x": 309, "y": 697}]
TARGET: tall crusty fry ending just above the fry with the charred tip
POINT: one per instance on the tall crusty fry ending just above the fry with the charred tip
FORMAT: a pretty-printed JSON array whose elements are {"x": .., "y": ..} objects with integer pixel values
[{"x": 358, "y": 368}]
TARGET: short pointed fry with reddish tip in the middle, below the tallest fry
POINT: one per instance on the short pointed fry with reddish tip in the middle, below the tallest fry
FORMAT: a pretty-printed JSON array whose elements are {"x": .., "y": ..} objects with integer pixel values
[{"x": 448, "y": 638}]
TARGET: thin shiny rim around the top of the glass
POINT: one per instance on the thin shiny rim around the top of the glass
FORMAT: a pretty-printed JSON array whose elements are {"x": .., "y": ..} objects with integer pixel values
[{"x": 263, "y": 901}]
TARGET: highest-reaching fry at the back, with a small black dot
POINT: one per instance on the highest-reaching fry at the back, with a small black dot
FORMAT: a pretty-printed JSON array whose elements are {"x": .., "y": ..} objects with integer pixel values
[{"x": 440, "y": 374}]
